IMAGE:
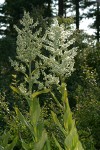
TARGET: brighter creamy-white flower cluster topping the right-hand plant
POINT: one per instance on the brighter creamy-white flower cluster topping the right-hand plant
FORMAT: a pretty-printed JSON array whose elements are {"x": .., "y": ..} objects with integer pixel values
[{"x": 57, "y": 42}]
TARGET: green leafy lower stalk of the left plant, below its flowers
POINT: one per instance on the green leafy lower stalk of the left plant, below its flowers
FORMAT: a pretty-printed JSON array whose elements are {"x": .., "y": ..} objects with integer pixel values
[{"x": 36, "y": 128}]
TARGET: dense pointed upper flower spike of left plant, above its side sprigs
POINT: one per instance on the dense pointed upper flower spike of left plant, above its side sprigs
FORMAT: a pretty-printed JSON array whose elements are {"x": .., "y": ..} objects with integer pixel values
[{"x": 28, "y": 44}]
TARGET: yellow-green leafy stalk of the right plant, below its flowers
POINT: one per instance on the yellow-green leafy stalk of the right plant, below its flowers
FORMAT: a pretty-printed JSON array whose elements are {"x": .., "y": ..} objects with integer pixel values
[{"x": 71, "y": 140}]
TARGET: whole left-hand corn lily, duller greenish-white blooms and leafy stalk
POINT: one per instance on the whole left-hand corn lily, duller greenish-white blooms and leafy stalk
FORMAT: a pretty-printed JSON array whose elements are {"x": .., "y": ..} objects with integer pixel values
[{"x": 28, "y": 50}]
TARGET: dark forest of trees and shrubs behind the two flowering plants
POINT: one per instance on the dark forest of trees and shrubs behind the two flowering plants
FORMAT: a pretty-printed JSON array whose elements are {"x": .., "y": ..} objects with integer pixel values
[{"x": 83, "y": 85}]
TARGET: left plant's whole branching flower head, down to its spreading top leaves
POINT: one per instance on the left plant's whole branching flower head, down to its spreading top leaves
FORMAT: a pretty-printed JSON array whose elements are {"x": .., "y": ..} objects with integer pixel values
[{"x": 28, "y": 61}]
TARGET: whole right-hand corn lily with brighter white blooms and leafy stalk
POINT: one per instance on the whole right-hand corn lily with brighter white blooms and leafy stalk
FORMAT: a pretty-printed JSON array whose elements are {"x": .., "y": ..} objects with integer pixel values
[{"x": 61, "y": 64}]
